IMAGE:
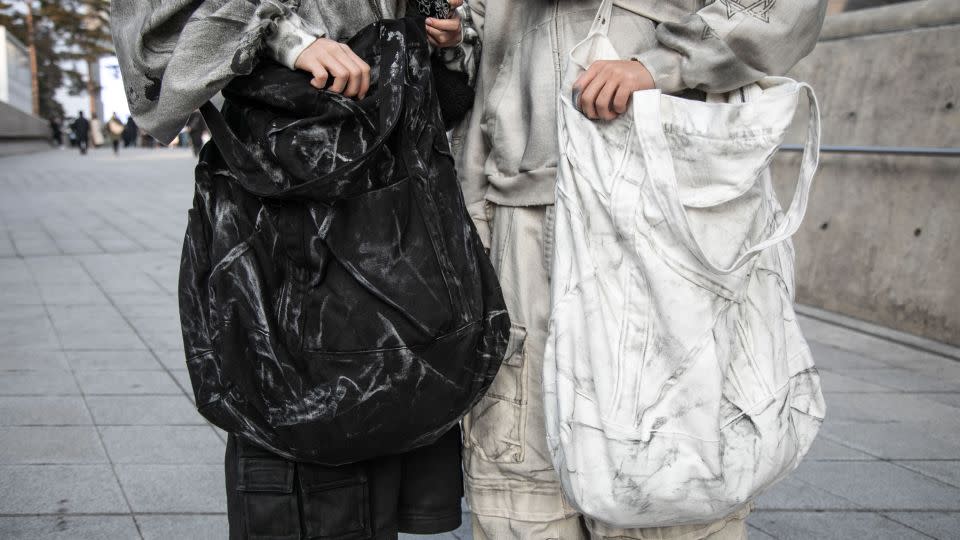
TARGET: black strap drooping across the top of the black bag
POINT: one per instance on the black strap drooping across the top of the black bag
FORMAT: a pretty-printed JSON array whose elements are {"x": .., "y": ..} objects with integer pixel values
[{"x": 251, "y": 174}]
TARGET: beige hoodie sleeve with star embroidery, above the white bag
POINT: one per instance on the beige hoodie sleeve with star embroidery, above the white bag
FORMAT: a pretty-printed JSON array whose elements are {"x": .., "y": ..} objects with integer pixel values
[{"x": 731, "y": 43}]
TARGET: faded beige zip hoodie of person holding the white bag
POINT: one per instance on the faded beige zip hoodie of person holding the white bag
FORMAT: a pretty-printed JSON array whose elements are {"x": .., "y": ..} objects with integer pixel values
[{"x": 507, "y": 150}]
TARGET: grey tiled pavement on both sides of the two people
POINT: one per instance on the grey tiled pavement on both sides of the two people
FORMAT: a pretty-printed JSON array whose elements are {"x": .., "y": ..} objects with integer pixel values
[{"x": 99, "y": 438}]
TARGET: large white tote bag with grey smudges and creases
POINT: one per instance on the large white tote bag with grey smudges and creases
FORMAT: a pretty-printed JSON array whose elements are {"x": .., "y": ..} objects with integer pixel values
[{"x": 677, "y": 383}]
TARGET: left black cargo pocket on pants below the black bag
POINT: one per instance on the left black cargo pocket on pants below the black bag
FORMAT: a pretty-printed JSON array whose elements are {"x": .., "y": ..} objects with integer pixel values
[{"x": 270, "y": 509}]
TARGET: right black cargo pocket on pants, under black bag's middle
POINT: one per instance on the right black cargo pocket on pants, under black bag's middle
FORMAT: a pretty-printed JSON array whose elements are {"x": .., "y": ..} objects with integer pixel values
[{"x": 335, "y": 501}]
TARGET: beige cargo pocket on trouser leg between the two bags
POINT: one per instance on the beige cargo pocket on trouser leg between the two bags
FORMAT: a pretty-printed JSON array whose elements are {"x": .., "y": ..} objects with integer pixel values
[{"x": 495, "y": 427}]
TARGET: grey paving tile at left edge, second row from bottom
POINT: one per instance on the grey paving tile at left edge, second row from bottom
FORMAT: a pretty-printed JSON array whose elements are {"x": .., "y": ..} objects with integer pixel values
[{"x": 60, "y": 489}]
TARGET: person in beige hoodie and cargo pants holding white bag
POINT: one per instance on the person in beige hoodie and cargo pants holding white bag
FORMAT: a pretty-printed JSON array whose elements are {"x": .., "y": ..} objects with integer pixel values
[{"x": 507, "y": 155}]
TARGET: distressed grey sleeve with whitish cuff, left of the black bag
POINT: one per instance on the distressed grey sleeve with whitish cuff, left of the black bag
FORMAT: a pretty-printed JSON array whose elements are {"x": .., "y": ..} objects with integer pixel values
[{"x": 177, "y": 54}]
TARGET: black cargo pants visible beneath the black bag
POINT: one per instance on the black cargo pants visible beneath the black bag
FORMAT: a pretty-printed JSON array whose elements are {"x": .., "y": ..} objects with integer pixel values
[{"x": 271, "y": 498}]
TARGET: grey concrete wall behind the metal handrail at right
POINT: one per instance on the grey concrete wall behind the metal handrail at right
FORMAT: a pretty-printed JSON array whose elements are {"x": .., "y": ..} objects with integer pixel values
[{"x": 881, "y": 241}]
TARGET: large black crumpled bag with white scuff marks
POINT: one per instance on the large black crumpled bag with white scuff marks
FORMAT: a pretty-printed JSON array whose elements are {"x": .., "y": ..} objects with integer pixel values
[{"x": 335, "y": 298}]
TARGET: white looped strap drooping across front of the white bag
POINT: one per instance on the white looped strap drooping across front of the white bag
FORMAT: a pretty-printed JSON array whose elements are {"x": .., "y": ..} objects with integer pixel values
[{"x": 670, "y": 198}]
